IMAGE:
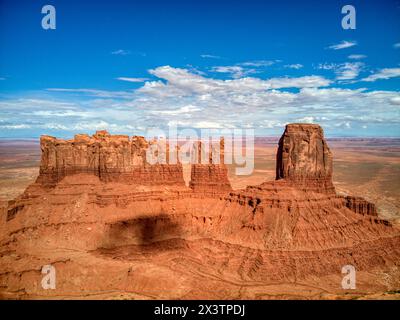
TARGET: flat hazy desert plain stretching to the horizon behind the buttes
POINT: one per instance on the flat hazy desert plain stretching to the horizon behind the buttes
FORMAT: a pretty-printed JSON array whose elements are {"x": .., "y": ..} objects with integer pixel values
[{"x": 365, "y": 167}]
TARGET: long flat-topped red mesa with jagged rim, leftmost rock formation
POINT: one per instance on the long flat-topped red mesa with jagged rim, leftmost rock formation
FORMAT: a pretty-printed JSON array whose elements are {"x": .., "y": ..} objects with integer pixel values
[{"x": 110, "y": 157}]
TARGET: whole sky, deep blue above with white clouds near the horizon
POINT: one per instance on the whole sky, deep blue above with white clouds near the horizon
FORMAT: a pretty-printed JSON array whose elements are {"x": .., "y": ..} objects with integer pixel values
[{"x": 126, "y": 66}]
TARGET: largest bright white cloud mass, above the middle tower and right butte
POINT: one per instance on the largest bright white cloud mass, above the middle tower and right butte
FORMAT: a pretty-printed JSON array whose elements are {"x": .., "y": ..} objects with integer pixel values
[{"x": 259, "y": 103}]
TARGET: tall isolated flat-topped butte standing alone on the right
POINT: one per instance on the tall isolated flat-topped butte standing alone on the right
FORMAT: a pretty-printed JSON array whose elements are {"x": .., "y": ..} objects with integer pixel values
[{"x": 304, "y": 158}]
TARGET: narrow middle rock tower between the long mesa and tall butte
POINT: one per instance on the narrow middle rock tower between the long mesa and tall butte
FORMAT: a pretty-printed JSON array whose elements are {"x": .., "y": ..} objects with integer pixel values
[{"x": 208, "y": 171}]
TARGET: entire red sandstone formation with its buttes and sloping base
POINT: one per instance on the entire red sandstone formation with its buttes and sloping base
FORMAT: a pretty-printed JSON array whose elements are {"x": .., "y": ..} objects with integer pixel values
[{"x": 114, "y": 226}]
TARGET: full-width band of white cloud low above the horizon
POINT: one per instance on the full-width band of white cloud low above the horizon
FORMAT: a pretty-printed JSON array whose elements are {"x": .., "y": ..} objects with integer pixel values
[{"x": 181, "y": 96}]
